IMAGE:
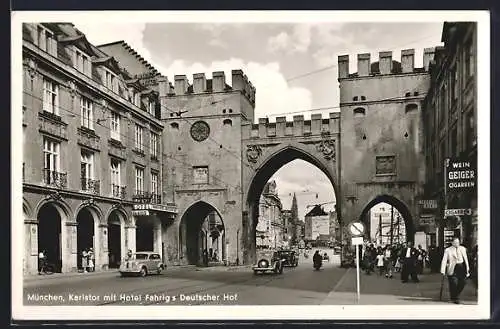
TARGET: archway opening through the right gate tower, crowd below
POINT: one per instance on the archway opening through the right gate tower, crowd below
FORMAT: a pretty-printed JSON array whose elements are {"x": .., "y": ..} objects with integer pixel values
[{"x": 400, "y": 214}]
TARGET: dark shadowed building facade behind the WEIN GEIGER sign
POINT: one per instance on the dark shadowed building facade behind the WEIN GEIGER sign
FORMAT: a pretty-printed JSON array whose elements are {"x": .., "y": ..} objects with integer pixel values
[{"x": 450, "y": 115}]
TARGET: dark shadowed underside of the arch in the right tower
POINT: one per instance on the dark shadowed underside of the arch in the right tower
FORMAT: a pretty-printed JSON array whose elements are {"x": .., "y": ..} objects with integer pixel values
[{"x": 399, "y": 205}]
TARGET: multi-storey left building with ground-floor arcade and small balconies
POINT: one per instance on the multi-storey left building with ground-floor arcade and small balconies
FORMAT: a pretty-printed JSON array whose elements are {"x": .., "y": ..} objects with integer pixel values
[{"x": 92, "y": 162}]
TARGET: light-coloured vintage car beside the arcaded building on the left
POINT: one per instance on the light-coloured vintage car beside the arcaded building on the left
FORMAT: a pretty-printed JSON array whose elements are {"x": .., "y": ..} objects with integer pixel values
[{"x": 142, "y": 263}]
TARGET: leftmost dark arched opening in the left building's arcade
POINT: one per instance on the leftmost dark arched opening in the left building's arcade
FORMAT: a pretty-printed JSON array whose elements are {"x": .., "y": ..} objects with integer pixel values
[{"x": 49, "y": 234}]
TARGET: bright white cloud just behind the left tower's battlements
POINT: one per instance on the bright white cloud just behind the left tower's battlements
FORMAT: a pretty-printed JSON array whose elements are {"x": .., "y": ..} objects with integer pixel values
[{"x": 273, "y": 95}]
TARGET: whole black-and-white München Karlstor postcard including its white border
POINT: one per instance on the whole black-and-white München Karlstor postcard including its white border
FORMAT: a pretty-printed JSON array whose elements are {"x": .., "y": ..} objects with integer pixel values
[{"x": 250, "y": 165}]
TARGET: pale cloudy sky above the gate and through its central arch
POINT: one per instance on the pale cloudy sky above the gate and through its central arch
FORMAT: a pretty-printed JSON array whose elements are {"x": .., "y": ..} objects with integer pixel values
[{"x": 292, "y": 66}]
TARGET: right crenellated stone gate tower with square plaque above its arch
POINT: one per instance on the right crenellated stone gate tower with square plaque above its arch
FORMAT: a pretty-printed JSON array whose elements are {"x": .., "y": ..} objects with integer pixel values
[{"x": 382, "y": 136}]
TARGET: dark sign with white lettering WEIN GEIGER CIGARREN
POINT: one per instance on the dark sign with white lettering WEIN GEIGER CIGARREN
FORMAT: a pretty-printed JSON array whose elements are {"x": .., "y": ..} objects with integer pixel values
[{"x": 460, "y": 175}]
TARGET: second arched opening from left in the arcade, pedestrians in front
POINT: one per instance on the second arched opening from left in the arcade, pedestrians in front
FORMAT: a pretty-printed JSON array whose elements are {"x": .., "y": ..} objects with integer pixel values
[{"x": 85, "y": 234}]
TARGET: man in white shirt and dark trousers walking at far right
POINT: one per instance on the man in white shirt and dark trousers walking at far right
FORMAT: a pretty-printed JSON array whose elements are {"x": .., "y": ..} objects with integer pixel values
[{"x": 455, "y": 265}]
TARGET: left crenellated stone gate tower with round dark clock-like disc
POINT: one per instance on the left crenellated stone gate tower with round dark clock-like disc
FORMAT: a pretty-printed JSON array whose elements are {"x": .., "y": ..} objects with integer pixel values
[{"x": 202, "y": 159}]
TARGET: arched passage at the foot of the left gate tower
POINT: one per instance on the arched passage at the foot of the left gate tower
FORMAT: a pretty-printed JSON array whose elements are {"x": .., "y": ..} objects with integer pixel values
[{"x": 201, "y": 228}]
